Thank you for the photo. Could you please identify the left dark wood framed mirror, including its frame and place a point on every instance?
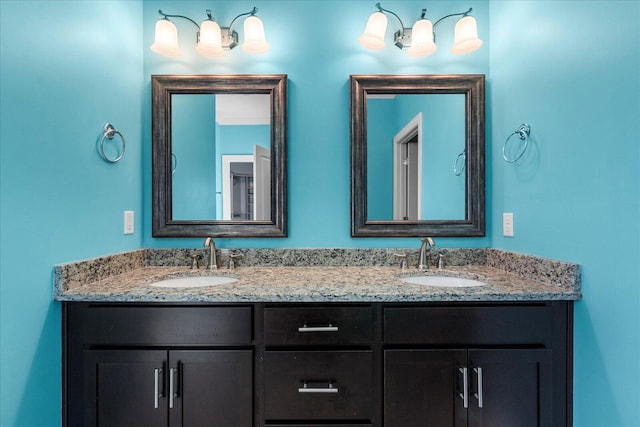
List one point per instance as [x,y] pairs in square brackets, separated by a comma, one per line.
[219,155]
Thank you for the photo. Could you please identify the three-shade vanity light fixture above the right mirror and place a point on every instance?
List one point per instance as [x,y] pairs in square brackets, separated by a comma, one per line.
[420,40]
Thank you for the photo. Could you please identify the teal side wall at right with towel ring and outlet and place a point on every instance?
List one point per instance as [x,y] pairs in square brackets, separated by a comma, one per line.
[573,72]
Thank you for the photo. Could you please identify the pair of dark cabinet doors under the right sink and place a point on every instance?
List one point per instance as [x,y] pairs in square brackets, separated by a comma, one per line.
[468,388]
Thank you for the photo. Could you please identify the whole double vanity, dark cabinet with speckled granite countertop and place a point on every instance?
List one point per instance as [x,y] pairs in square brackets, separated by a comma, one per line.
[317,337]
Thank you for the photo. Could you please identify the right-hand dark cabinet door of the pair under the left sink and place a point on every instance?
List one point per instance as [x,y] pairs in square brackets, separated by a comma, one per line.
[211,388]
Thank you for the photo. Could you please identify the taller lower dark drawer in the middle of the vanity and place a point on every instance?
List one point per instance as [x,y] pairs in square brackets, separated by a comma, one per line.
[318,385]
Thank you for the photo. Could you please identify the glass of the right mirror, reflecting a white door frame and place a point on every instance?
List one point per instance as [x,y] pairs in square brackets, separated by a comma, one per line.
[415,151]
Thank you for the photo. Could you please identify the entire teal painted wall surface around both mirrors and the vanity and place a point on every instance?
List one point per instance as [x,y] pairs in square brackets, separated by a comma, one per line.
[575,195]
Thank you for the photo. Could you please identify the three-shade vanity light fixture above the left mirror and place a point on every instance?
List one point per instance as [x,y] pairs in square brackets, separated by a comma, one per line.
[212,40]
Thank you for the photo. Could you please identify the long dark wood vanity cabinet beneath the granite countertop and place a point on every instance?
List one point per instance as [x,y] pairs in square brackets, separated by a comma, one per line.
[318,365]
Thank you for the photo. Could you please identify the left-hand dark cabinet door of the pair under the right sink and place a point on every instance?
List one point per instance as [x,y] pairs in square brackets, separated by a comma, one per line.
[424,388]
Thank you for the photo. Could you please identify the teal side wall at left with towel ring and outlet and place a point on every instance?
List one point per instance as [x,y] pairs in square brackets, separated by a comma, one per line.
[66,68]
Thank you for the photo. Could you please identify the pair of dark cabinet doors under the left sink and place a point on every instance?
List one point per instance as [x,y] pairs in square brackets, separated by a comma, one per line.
[131,387]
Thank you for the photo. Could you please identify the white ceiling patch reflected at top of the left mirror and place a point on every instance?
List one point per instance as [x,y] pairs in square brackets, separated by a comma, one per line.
[243,109]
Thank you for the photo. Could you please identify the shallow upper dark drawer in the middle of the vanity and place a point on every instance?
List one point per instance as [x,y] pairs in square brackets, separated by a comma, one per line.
[318,326]
